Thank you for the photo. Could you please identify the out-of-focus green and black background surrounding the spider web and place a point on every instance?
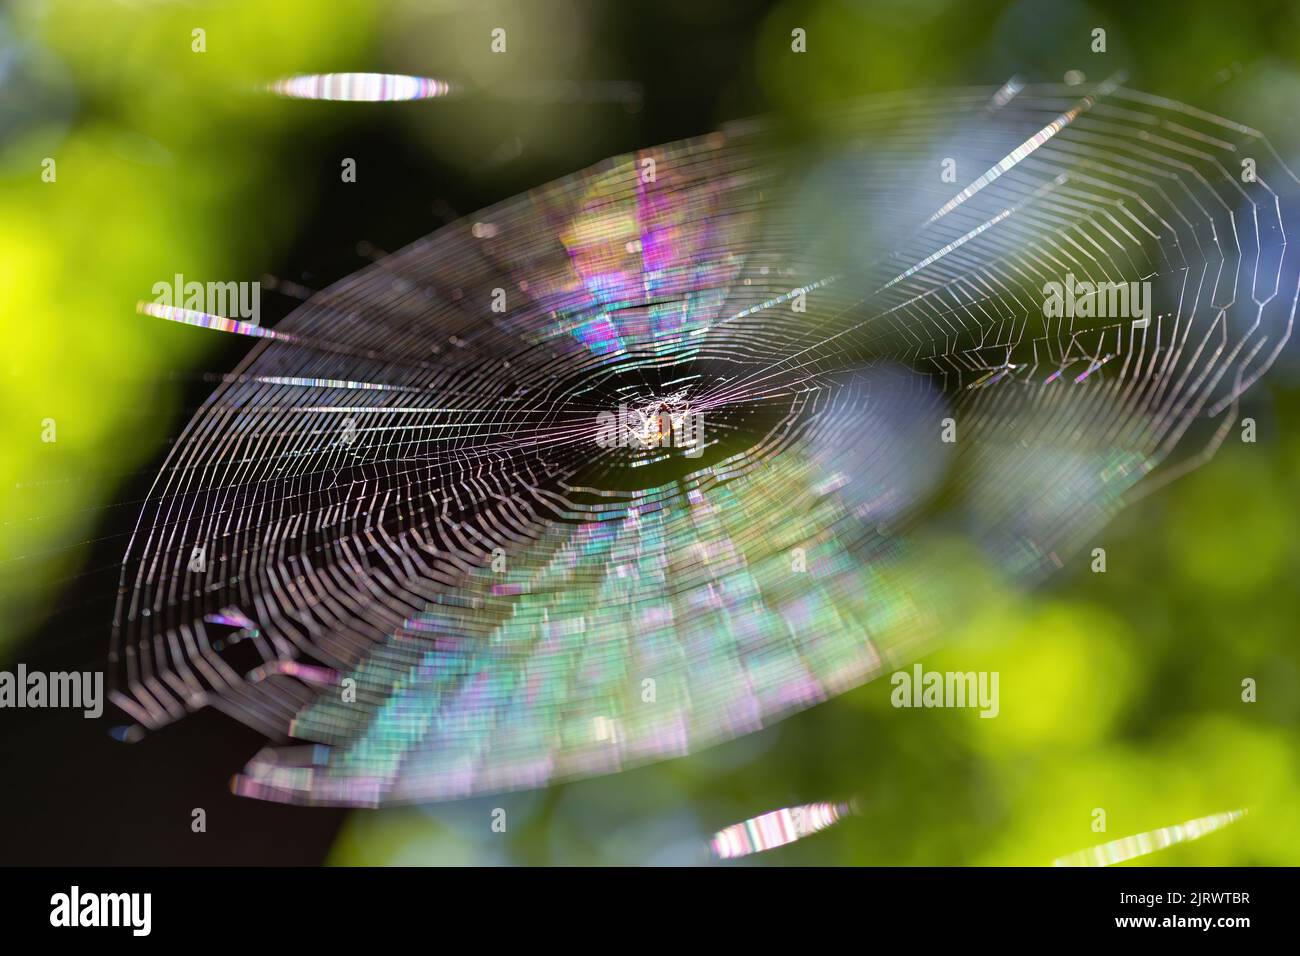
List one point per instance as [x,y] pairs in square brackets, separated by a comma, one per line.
[1120,691]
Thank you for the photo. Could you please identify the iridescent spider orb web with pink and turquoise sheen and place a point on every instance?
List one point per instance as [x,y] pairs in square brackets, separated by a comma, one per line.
[402,542]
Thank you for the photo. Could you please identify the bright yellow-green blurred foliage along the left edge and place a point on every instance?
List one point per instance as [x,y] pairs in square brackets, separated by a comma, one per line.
[159,163]
